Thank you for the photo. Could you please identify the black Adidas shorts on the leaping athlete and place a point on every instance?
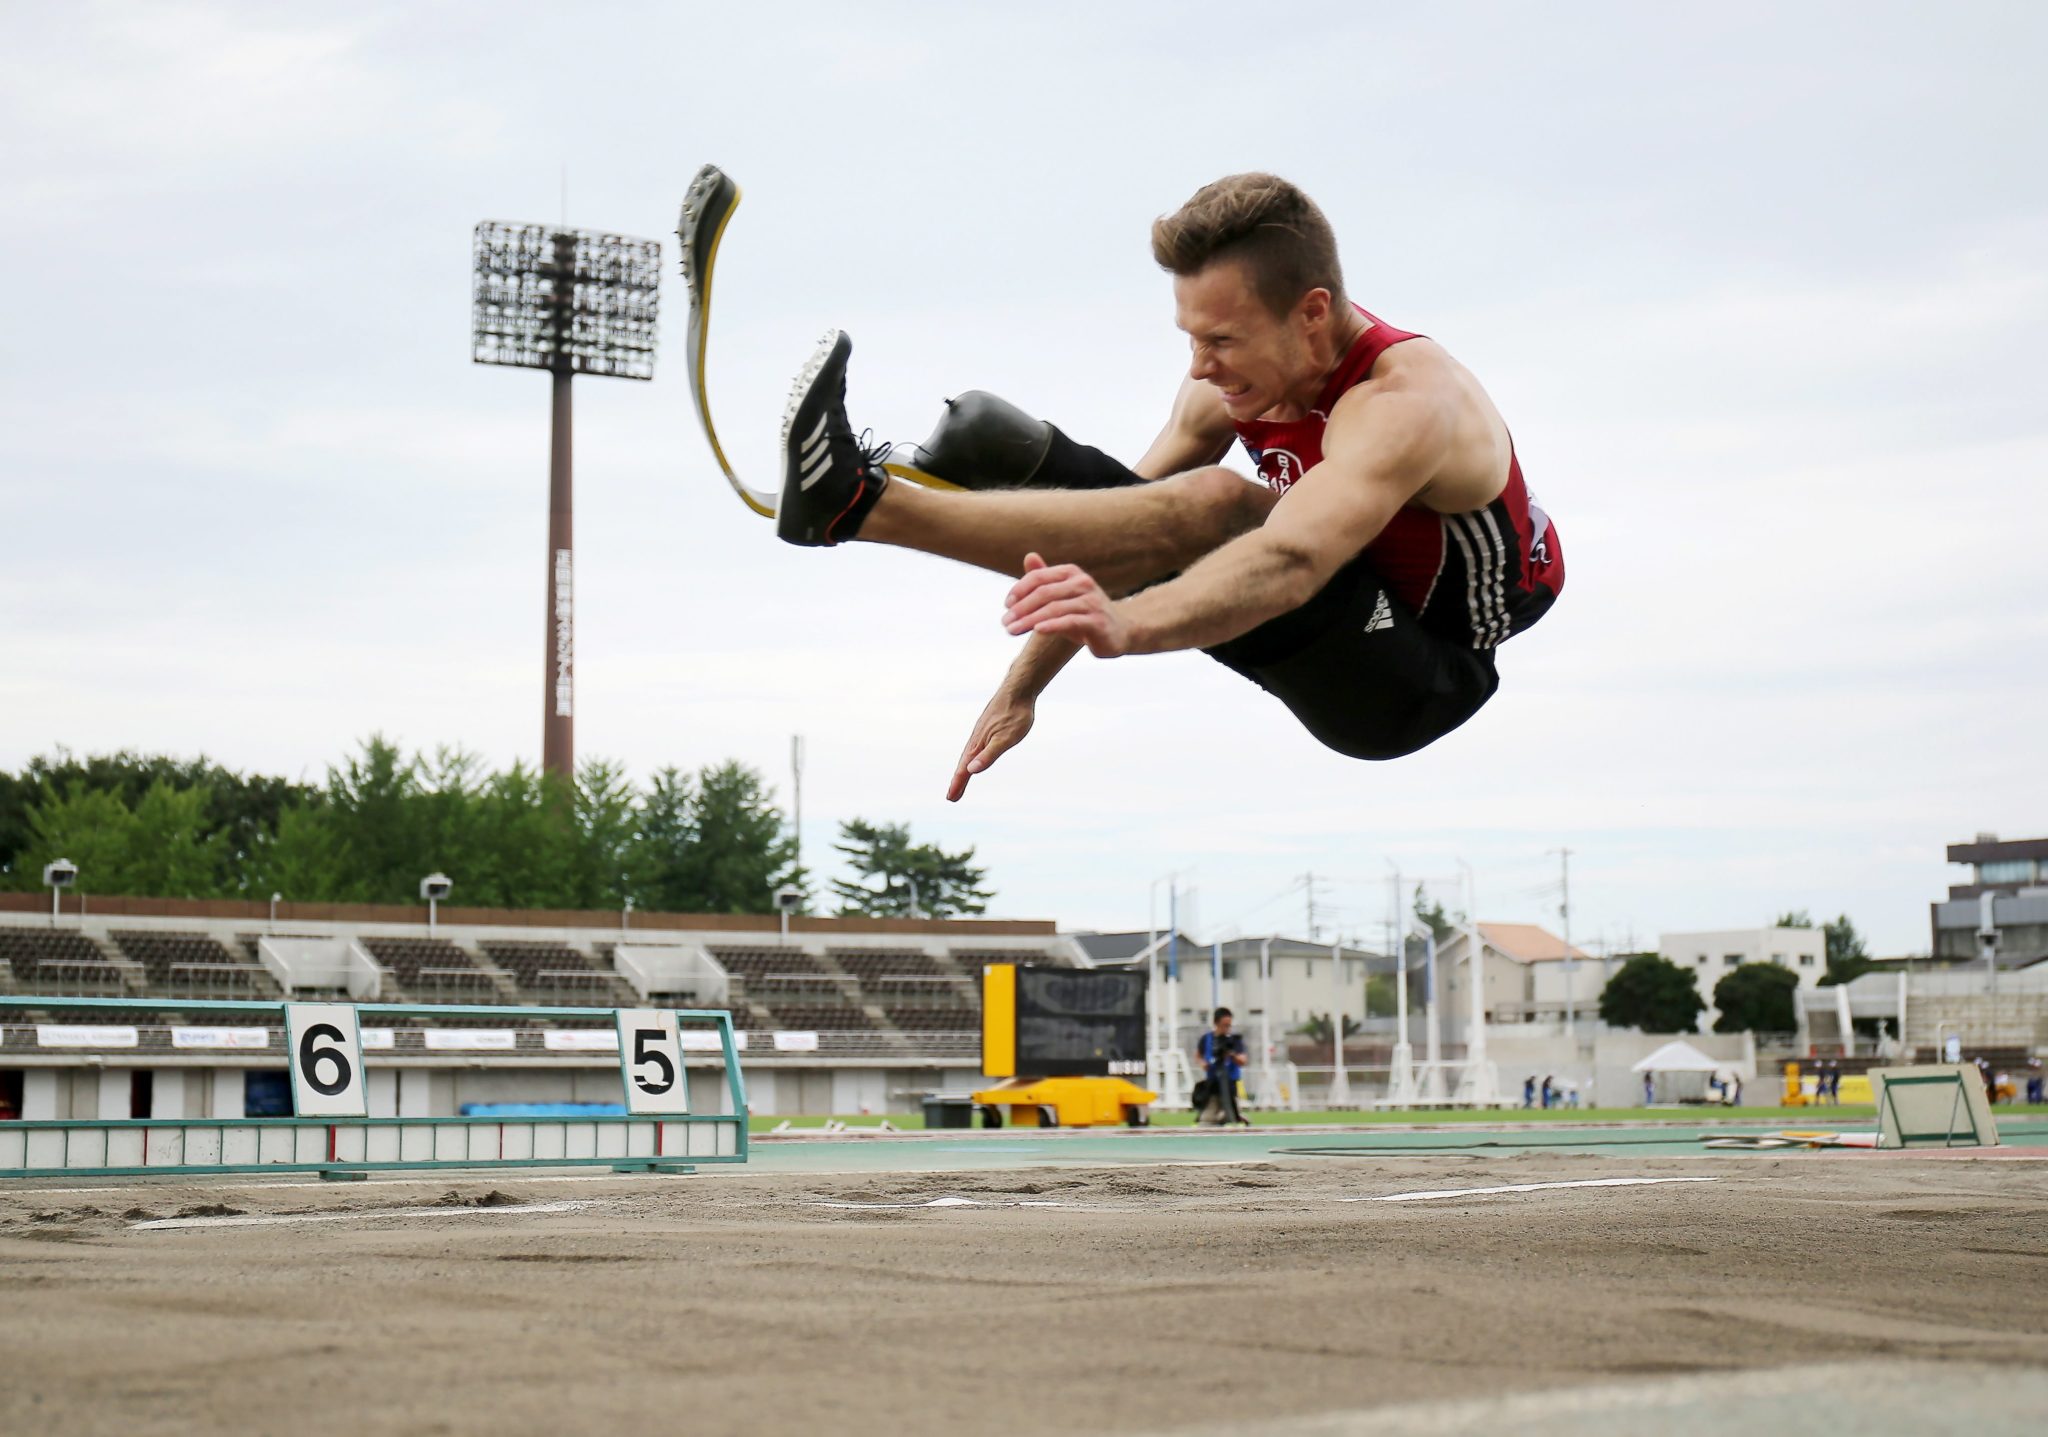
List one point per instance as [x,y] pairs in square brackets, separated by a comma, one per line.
[1361,670]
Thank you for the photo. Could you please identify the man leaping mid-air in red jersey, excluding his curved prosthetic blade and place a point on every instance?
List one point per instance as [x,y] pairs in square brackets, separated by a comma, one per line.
[1365,584]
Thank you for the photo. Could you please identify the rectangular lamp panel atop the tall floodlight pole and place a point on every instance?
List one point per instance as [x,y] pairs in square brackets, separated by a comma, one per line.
[566,300]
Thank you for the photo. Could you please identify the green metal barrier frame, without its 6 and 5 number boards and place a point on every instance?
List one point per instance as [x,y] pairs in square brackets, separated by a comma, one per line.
[355,1147]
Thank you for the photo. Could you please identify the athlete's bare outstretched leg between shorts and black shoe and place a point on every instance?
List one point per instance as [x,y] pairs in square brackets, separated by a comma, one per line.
[1123,537]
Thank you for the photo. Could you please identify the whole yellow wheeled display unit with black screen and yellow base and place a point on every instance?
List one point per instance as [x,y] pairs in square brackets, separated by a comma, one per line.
[1064,1047]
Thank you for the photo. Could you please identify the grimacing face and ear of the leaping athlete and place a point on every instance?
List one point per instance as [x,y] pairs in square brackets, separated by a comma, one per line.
[1254,357]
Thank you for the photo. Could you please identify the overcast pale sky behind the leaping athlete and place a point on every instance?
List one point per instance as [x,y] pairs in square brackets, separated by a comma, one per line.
[1760,288]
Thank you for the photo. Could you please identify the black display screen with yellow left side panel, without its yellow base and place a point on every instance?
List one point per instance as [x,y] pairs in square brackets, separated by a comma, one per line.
[1062,1022]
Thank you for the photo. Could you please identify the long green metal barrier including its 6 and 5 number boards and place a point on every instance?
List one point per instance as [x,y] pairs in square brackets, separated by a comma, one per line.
[333,1133]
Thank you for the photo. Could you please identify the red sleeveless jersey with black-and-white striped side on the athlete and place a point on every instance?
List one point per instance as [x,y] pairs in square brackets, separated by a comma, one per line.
[1476,578]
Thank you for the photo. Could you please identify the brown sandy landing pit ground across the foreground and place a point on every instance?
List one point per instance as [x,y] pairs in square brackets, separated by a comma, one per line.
[1150,1301]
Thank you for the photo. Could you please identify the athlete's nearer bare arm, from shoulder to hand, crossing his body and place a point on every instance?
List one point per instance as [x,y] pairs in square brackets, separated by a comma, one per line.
[1379,451]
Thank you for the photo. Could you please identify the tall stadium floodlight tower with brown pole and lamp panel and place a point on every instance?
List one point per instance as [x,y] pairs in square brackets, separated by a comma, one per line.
[572,302]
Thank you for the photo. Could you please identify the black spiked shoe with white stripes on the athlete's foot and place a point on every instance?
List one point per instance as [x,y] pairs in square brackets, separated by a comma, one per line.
[830,480]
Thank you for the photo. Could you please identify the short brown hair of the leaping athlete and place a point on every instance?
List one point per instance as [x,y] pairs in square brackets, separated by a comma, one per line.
[1267,224]
